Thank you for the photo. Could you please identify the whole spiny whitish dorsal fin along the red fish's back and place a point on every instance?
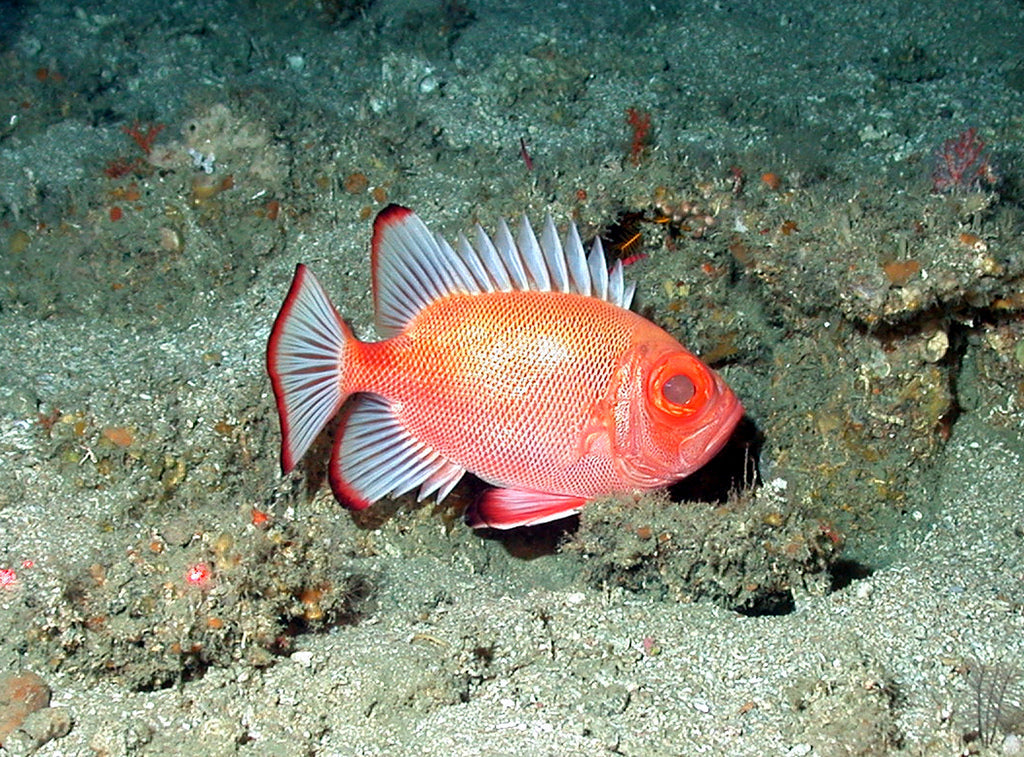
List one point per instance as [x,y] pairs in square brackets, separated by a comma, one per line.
[412,267]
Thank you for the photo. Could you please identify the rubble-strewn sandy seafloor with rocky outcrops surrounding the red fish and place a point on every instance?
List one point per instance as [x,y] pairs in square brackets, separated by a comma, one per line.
[870,320]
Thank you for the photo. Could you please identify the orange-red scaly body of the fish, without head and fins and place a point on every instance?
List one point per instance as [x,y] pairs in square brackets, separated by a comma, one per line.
[496,415]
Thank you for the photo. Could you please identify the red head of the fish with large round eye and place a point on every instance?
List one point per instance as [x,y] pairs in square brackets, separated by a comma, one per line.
[673,413]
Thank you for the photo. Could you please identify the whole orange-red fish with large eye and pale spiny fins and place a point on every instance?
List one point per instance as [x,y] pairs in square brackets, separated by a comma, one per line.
[515,359]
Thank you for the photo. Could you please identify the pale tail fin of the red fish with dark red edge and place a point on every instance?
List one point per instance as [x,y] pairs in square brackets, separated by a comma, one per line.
[306,358]
